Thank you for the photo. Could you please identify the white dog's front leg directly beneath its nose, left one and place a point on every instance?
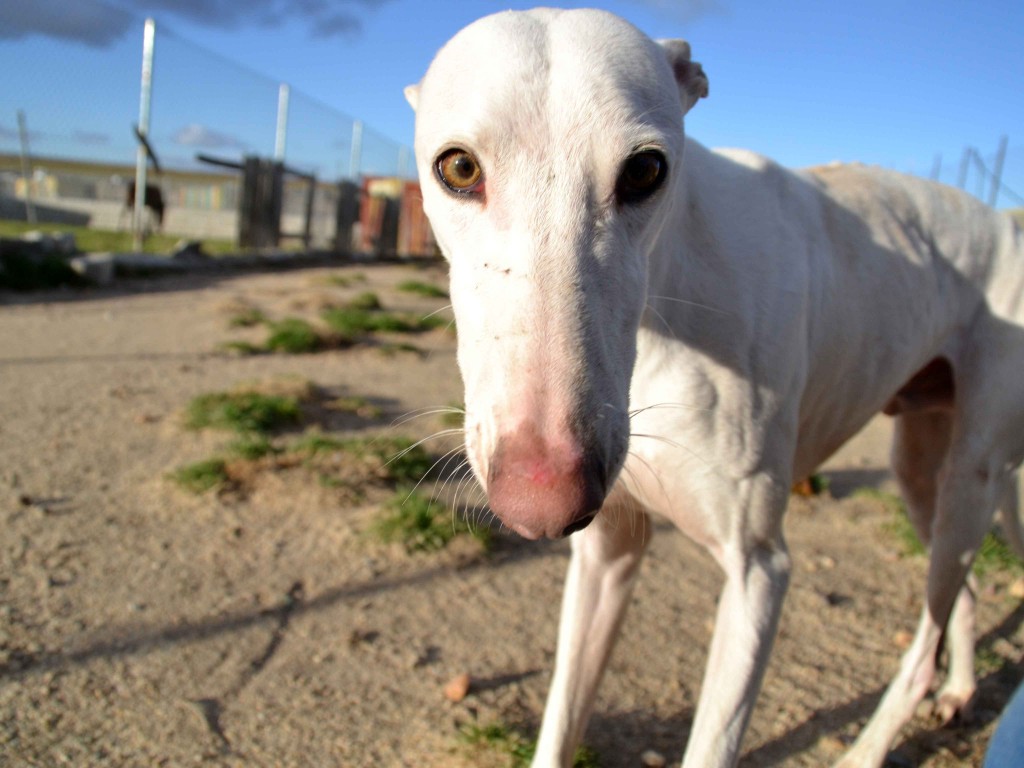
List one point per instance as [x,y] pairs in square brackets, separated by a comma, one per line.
[602,574]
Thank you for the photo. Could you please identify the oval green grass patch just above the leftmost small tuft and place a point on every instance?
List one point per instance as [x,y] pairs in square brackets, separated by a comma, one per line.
[242,412]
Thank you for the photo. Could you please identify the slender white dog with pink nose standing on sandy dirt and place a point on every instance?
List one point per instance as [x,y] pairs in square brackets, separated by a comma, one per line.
[645,324]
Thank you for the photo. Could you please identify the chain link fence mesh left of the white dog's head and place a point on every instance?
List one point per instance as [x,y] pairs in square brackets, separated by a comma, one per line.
[68,140]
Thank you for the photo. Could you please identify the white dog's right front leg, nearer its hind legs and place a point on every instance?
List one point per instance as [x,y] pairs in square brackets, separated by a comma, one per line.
[757,578]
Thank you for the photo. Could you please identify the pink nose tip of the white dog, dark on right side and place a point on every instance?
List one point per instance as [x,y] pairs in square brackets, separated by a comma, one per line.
[544,489]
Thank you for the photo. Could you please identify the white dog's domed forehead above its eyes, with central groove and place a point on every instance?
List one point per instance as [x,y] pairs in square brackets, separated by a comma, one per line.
[524,72]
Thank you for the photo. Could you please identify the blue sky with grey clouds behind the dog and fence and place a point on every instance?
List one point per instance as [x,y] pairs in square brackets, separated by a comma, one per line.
[890,82]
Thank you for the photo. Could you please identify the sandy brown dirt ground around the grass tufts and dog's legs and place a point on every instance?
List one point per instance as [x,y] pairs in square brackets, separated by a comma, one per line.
[145,626]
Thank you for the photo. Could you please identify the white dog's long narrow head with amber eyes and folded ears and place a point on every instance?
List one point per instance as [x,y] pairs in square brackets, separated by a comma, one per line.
[548,146]
